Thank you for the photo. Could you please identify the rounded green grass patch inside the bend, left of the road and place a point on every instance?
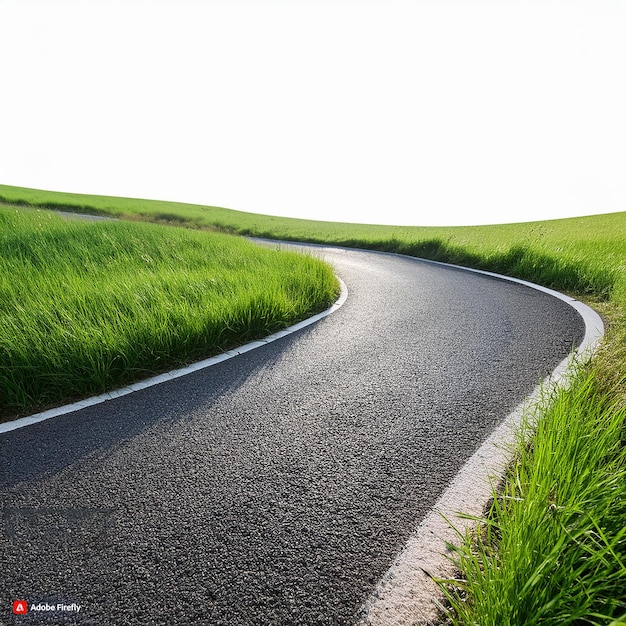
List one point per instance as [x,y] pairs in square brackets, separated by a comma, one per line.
[89,306]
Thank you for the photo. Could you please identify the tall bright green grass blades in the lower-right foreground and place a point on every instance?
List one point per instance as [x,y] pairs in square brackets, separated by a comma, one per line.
[552,549]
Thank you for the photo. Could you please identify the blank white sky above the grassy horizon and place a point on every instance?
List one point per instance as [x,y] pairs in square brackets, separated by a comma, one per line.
[384,111]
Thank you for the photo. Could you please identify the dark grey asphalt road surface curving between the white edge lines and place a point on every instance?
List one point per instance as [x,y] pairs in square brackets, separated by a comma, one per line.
[276,487]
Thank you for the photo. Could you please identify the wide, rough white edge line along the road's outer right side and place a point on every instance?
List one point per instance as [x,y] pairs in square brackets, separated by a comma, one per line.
[406,595]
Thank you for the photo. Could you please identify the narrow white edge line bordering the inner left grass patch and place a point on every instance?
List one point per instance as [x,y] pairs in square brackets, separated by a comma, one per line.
[167,376]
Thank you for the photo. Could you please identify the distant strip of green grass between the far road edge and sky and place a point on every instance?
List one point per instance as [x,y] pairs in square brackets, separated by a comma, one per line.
[585,256]
